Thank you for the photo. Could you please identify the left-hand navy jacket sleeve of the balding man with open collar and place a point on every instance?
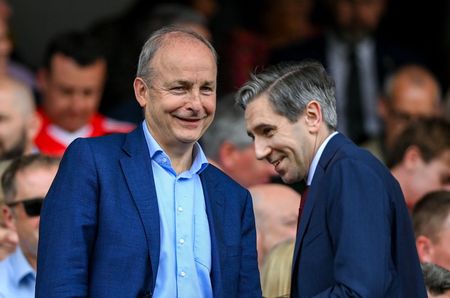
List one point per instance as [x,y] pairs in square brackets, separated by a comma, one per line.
[67,229]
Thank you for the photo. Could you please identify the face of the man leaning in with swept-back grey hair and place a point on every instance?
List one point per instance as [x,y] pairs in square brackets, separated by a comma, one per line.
[284,144]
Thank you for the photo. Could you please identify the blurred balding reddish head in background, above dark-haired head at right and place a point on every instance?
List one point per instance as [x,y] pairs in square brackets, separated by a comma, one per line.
[409,93]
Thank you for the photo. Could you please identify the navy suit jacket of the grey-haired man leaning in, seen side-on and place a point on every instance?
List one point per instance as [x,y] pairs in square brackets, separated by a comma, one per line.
[355,236]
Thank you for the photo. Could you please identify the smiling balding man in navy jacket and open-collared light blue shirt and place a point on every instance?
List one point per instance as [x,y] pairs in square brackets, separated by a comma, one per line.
[143,214]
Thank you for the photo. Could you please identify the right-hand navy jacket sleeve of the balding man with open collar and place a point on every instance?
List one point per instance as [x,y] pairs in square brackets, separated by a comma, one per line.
[249,284]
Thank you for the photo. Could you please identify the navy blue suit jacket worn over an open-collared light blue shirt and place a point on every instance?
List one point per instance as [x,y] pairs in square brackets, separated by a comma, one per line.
[99,229]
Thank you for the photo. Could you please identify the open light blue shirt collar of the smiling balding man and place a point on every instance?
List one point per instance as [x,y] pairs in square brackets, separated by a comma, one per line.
[157,154]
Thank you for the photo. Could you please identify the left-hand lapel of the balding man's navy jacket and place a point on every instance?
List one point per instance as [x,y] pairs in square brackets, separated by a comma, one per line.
[137,169]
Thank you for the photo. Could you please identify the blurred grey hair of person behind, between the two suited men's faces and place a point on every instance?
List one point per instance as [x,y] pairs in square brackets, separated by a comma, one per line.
[228,126]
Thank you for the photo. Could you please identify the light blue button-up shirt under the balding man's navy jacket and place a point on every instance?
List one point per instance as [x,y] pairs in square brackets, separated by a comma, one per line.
[185,252]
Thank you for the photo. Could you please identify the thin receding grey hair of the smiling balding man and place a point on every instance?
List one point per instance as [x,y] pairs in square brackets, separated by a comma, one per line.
[156,41]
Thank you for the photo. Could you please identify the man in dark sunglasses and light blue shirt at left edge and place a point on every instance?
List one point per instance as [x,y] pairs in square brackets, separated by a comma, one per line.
[25,183]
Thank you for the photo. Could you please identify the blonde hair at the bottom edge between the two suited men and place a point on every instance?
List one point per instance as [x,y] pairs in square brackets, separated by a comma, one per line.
[276,270]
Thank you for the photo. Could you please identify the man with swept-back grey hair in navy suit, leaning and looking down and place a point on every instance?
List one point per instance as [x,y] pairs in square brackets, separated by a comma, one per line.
[354,235]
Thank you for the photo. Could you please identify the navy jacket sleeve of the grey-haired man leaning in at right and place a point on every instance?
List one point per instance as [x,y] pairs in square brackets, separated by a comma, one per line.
[359,221]
